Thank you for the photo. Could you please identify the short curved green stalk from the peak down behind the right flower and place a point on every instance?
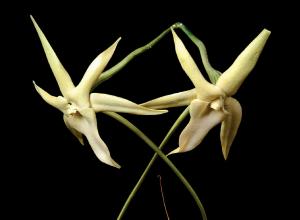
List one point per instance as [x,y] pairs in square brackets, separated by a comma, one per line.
[212,72]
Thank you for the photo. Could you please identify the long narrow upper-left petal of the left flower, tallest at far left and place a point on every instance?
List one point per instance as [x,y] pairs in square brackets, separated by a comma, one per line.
[61,75]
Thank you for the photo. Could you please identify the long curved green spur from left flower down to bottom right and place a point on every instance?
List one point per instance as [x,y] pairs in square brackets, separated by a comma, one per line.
[162,156]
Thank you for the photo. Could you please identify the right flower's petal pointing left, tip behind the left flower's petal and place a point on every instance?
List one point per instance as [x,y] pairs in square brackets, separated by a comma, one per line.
[173,100]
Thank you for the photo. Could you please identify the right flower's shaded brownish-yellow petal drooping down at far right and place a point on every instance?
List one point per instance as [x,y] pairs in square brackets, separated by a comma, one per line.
[230,124]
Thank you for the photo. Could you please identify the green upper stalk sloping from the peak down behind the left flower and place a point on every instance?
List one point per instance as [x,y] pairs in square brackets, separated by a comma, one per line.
[110,72]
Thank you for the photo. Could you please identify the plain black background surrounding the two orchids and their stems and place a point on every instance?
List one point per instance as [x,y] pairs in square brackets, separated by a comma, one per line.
[48,174]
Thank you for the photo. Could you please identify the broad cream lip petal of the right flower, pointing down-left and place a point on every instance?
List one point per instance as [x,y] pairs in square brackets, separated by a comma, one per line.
[203,118]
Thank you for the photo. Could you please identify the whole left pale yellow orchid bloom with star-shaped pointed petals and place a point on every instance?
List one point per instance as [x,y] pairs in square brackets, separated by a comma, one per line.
[79,107]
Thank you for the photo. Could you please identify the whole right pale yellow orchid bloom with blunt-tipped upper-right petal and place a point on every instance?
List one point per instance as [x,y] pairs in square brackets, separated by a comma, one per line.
[211,104]
